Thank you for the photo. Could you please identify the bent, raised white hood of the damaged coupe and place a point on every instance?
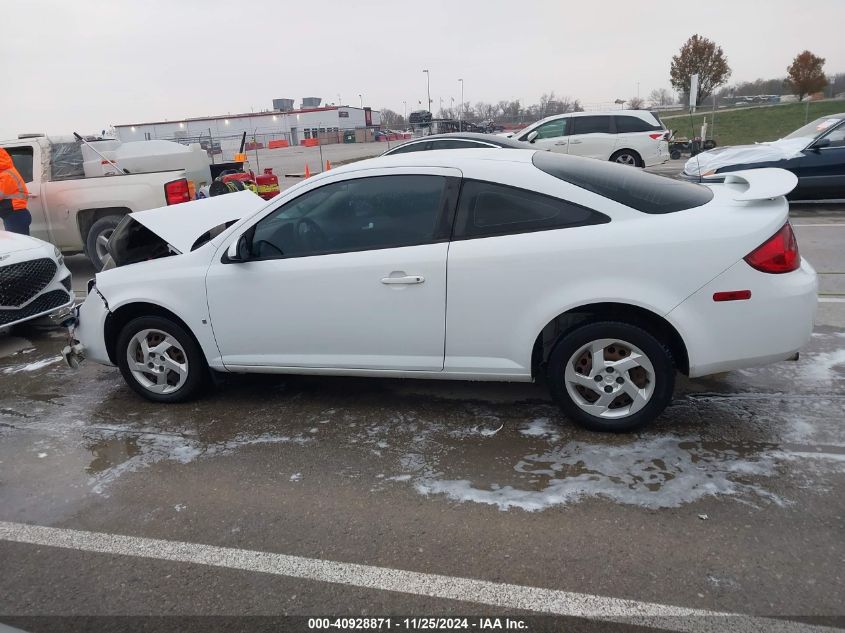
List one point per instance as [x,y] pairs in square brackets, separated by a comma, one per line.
[180,225]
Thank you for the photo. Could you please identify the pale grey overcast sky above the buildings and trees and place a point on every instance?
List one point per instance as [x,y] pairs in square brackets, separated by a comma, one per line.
[86,64]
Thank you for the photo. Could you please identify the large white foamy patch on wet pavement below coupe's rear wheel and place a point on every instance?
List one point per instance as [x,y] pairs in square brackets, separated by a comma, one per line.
[662,472]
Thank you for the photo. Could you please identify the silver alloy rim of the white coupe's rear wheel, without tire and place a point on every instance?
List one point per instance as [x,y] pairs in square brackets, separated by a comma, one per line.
[609,378]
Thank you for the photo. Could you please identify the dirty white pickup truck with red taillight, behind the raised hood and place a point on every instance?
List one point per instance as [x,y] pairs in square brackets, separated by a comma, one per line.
[79,214]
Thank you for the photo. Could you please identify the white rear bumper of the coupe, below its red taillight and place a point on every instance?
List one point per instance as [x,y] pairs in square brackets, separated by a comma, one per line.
[770,326]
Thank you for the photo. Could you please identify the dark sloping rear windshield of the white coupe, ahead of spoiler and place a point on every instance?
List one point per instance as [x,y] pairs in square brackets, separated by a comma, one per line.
[626,185]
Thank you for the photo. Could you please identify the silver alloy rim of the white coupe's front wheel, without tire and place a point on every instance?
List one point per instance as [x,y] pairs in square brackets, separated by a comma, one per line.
[157,361]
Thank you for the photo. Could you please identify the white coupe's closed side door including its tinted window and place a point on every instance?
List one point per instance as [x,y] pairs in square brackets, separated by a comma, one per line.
[350,274]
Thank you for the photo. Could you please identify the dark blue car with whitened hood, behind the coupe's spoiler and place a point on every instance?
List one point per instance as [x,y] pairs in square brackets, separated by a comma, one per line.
[815,153]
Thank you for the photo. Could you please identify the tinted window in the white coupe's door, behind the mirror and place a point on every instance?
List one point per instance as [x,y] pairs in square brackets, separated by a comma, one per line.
[355,215]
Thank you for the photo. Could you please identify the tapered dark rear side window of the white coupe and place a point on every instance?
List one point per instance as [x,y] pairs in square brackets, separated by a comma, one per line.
[487,208]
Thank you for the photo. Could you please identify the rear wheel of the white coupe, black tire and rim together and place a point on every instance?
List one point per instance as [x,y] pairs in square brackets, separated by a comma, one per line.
[611,377]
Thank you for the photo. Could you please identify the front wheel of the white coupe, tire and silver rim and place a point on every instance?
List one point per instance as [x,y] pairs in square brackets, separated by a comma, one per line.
[160,360]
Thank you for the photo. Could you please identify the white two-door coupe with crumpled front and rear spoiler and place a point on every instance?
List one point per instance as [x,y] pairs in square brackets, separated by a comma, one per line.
[514,265]
